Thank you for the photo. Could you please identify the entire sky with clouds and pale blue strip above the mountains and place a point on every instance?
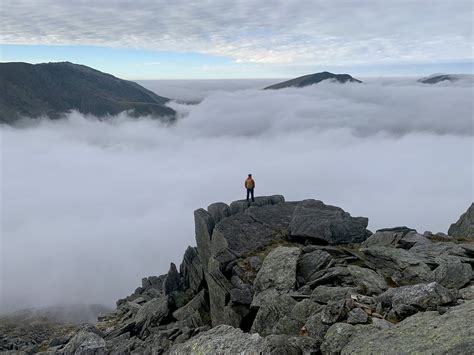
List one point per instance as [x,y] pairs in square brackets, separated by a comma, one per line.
[215,39]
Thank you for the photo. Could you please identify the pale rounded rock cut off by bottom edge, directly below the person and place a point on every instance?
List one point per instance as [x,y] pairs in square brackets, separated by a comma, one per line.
[222,339]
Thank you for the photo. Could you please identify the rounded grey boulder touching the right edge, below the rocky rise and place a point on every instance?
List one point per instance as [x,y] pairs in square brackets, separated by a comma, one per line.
[452,273]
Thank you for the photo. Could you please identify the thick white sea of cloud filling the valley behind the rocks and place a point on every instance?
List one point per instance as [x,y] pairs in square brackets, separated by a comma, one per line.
[89,207]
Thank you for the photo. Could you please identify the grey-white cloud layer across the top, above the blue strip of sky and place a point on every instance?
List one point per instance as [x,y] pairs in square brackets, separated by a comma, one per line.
[299,32]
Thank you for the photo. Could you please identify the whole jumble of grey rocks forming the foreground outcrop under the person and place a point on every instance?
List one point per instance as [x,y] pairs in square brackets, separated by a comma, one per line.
[302,277]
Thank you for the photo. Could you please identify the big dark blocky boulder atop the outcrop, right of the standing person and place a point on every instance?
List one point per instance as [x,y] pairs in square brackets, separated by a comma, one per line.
[322,223]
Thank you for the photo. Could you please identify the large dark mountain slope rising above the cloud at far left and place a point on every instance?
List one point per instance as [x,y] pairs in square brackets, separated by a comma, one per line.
[52,89]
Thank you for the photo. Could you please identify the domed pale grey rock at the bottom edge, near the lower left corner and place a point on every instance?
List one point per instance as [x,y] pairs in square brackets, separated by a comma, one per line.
[87,341]
